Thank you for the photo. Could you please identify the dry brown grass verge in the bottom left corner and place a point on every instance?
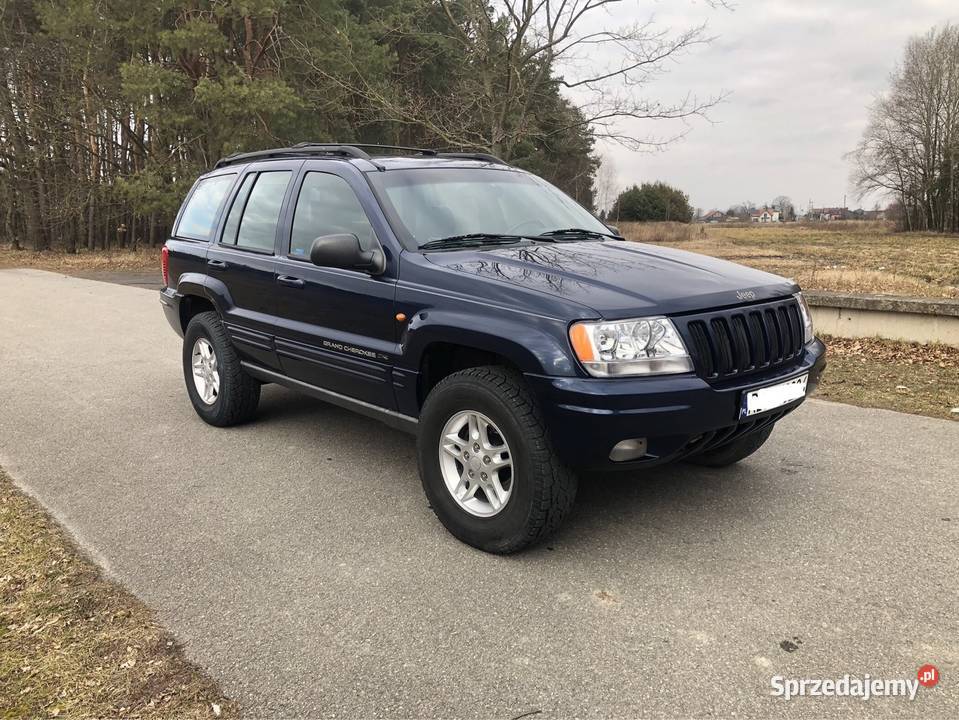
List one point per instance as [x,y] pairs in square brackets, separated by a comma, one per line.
[73,644]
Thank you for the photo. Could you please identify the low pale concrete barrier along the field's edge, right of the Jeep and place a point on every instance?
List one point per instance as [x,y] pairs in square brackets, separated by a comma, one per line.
[921,320]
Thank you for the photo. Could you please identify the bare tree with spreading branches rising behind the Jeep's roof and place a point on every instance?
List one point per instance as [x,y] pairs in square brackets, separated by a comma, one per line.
[521,51]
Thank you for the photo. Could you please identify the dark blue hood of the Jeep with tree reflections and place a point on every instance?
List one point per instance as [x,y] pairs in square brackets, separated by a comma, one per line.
[620,279]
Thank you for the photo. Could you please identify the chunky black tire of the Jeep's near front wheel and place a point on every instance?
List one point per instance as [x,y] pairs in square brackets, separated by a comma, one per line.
[541,488]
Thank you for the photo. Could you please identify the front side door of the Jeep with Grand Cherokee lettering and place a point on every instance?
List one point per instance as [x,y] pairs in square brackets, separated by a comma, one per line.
[335,328]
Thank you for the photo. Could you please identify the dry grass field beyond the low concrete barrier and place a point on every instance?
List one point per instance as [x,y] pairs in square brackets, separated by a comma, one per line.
[840,256]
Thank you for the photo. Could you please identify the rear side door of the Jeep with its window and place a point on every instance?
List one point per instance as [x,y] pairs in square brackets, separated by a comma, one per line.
[242,261]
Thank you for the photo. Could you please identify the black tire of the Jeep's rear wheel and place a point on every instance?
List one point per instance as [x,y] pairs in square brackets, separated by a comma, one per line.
[238,394]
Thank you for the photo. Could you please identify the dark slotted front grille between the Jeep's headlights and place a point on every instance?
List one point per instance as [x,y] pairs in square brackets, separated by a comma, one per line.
[731,343]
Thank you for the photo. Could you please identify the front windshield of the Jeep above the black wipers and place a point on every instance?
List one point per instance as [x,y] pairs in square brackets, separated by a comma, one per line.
[435,203]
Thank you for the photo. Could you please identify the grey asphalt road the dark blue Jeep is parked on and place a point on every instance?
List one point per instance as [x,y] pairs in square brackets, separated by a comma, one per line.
[297,560]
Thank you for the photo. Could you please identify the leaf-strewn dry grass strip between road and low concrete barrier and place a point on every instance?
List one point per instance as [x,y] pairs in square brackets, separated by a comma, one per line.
[908,377]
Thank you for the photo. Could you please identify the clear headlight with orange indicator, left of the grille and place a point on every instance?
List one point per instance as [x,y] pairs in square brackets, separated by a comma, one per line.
[646,346]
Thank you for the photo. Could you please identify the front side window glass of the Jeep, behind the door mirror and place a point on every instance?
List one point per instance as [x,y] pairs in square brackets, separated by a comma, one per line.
[327,205]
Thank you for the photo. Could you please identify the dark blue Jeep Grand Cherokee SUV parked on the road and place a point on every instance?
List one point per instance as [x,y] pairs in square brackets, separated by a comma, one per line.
[477,306]
